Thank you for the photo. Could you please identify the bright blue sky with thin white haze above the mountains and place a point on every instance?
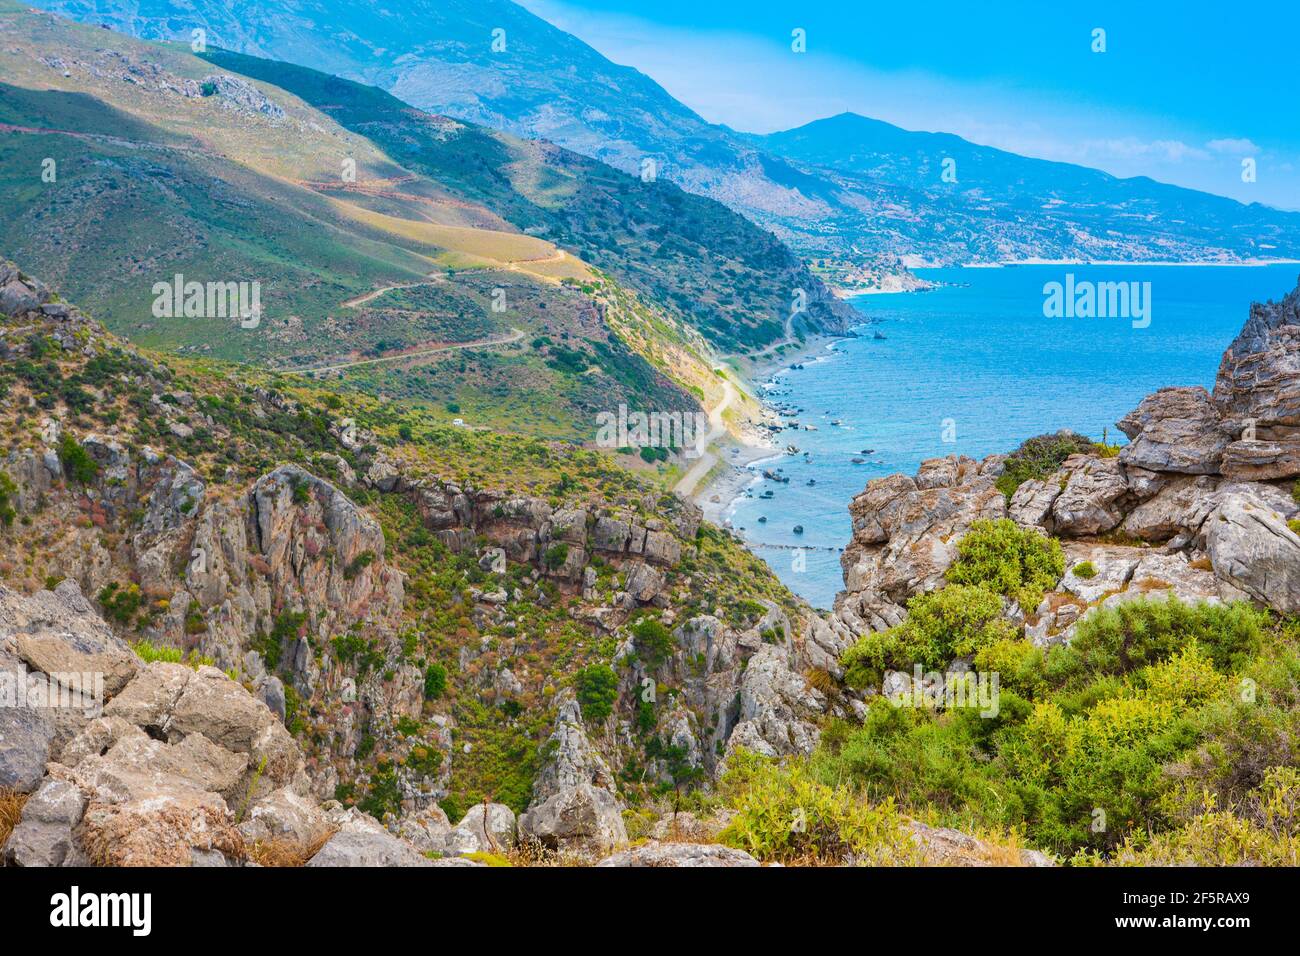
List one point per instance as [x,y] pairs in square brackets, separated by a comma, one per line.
[1184,93]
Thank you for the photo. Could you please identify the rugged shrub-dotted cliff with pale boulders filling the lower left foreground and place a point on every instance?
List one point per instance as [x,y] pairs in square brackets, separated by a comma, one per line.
[375,629]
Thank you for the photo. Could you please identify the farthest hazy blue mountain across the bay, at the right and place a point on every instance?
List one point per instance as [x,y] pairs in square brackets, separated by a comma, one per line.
[1072,211]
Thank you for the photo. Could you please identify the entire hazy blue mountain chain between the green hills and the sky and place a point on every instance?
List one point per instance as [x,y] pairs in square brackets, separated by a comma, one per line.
[857,197]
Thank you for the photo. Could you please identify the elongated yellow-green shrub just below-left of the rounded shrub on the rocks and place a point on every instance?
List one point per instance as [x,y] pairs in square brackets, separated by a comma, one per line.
[942,625]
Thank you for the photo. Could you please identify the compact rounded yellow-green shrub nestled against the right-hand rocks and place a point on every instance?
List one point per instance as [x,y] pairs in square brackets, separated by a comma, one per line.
[1008,560]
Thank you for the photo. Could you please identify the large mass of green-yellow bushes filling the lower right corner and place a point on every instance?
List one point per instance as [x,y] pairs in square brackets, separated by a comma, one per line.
[1156,715]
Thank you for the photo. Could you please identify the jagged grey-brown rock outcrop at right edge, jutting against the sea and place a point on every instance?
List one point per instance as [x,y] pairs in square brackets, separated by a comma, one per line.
[1202,504]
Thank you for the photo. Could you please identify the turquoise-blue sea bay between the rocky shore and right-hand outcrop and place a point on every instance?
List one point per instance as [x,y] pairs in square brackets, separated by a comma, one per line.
[973,367]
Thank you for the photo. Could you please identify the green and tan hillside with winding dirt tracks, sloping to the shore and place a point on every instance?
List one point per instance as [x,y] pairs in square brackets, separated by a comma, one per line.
[513,283]
